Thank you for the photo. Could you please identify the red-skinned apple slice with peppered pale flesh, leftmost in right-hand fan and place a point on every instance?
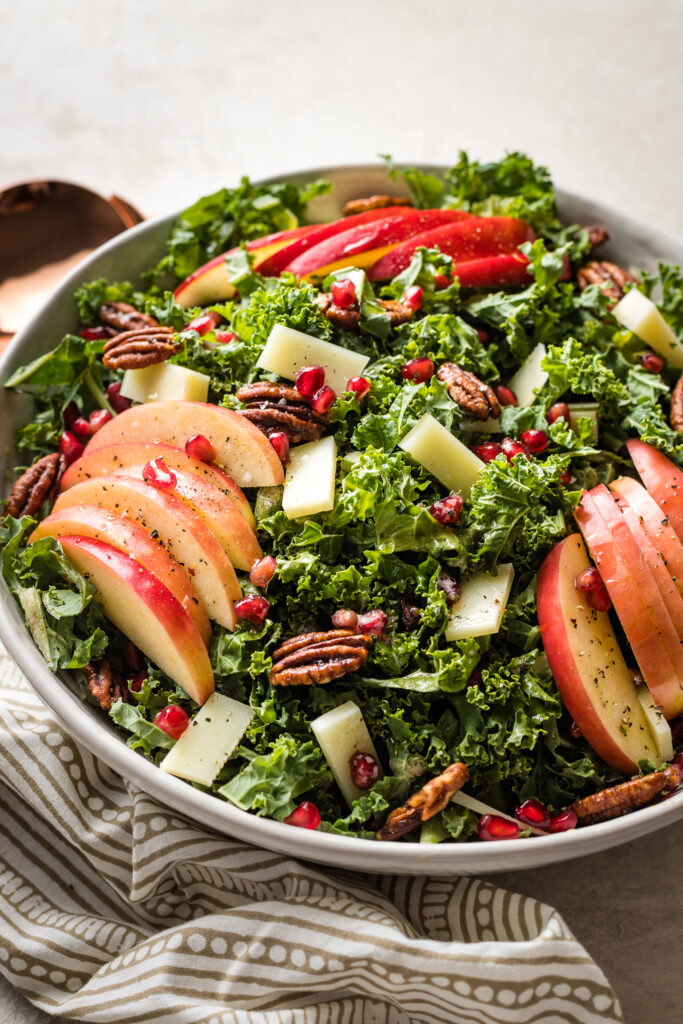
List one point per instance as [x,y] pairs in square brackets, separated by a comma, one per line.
[594,681]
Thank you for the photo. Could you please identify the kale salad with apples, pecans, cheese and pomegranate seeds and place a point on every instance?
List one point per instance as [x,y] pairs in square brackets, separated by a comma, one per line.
[373,527]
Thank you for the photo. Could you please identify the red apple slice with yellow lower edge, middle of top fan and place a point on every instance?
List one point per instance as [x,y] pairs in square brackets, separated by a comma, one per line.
[359,245]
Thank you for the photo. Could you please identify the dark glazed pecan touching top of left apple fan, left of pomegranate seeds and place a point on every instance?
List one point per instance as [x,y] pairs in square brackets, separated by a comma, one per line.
[278,407]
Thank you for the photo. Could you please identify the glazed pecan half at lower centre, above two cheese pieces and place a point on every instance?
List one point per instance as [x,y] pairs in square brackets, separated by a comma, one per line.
[319,658]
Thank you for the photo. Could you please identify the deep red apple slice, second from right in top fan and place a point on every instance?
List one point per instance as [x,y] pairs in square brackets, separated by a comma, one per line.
[465,241]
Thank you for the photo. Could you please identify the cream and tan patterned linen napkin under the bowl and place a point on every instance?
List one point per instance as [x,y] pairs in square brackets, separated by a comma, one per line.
[113,909]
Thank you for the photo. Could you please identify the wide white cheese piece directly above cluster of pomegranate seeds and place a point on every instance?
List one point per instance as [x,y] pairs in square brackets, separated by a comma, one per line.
[287,352]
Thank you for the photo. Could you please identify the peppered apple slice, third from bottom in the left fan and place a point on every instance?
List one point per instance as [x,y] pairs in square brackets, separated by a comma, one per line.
[184,534]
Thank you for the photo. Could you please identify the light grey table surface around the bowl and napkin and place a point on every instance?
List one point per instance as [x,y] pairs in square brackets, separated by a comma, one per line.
[163,102]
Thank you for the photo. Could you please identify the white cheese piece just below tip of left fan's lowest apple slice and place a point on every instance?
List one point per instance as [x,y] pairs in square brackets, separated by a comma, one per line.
[209,740]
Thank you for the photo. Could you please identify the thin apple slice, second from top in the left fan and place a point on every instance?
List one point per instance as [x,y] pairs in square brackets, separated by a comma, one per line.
[113,459]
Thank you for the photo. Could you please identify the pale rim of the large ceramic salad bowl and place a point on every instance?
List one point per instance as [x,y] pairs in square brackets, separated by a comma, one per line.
[206,808]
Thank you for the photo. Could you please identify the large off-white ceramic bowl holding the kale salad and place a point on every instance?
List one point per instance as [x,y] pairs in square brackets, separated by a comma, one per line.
[124,259]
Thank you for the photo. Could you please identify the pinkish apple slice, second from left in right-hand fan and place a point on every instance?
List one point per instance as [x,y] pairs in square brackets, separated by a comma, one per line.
[634,593]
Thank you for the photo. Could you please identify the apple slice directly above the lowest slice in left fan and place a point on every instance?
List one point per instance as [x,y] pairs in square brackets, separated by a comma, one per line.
[135,540]
